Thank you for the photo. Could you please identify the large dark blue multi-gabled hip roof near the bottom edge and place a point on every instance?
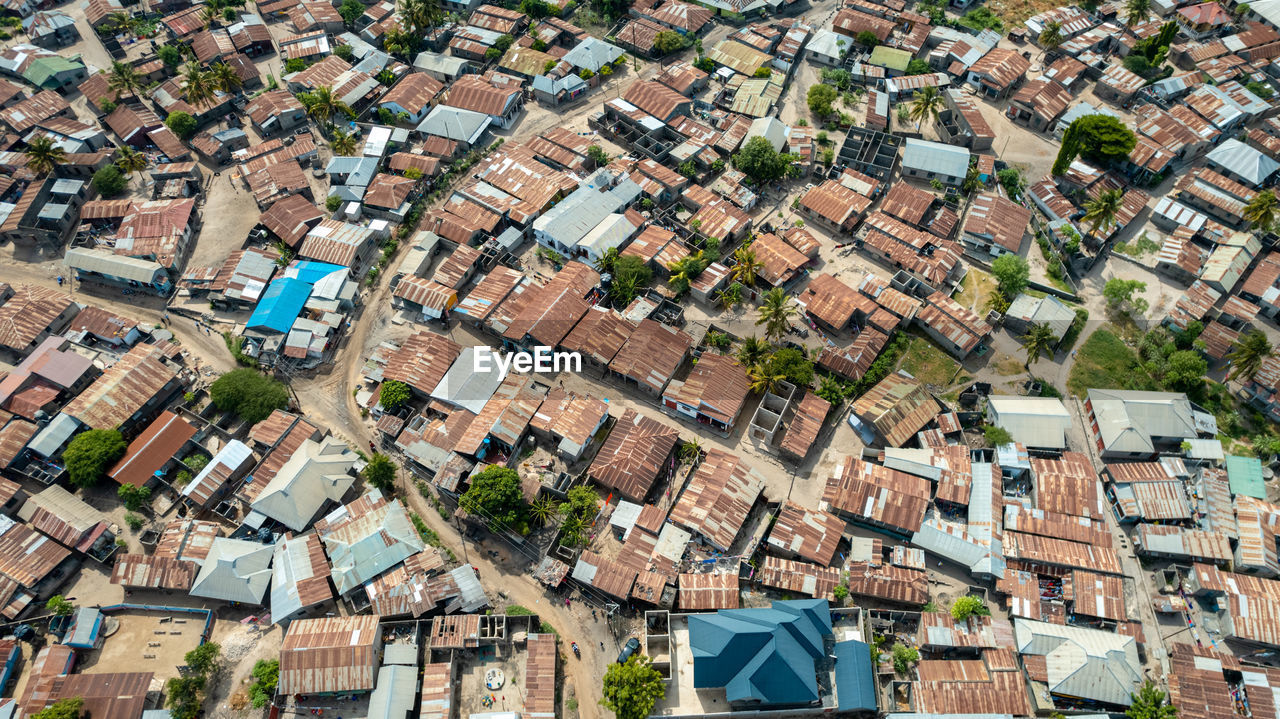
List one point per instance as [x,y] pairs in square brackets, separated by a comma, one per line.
[762,656]
